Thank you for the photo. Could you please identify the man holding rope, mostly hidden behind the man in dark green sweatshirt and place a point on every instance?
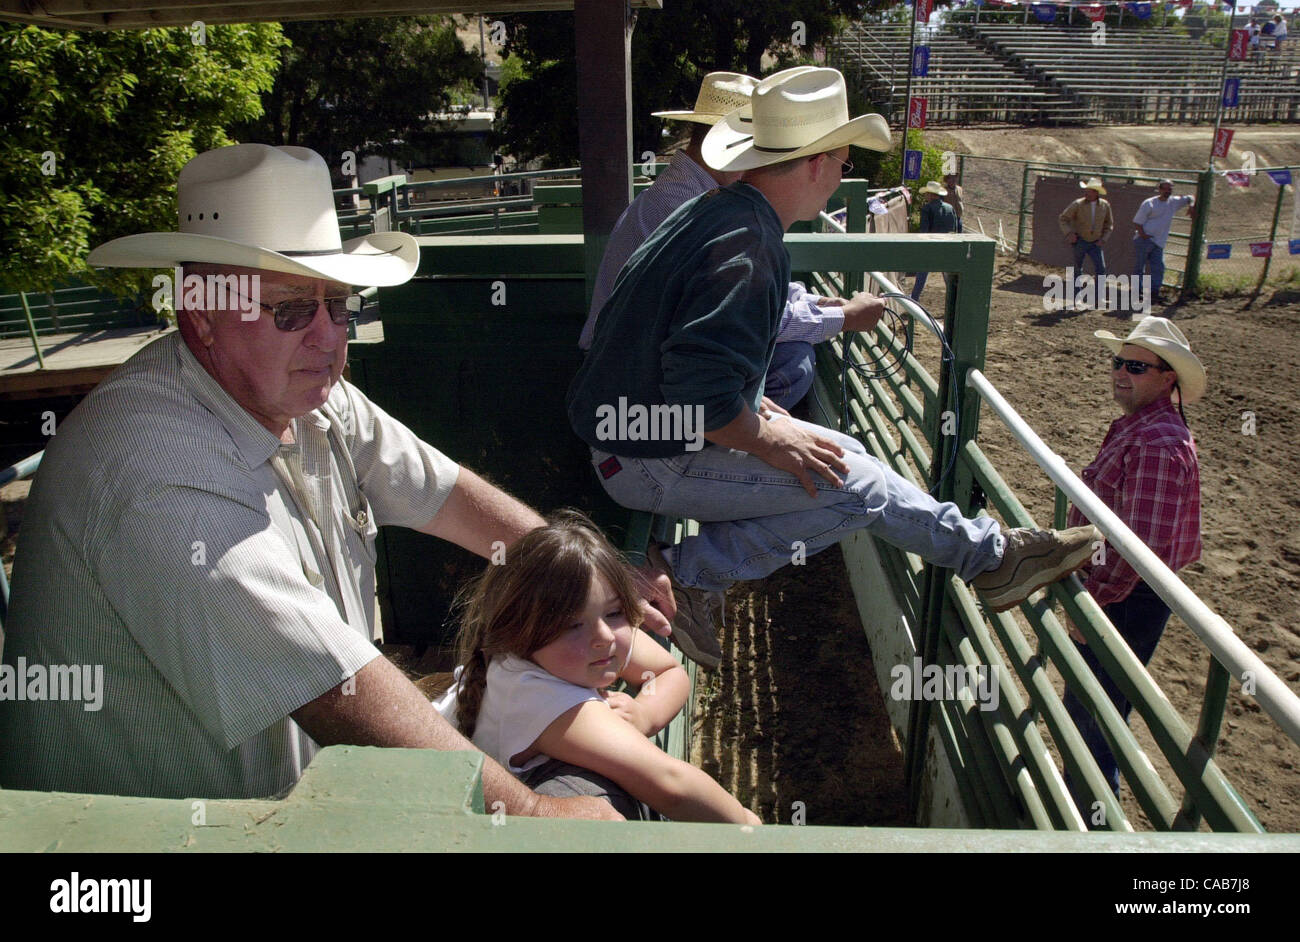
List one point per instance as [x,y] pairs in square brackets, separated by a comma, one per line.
[808,319]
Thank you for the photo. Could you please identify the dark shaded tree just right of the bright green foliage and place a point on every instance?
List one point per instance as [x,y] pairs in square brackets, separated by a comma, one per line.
[361,85]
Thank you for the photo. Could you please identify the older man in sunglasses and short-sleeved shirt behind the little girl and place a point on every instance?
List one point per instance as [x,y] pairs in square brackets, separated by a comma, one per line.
[203,526]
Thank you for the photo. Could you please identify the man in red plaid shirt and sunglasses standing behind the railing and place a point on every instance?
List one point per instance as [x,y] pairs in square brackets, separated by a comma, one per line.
[1149,475]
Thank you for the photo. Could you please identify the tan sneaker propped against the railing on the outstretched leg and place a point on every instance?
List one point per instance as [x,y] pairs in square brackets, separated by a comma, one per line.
[1034,559]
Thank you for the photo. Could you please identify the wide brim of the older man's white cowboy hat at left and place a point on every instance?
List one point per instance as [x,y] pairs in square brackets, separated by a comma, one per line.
[376,261]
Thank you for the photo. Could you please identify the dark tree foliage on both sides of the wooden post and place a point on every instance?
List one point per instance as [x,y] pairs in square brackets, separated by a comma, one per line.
[673,50]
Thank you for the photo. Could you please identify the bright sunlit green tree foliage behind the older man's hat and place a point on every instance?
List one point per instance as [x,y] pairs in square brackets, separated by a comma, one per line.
[98,125]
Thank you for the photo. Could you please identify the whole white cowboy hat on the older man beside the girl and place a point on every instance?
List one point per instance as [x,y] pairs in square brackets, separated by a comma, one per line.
[270,209]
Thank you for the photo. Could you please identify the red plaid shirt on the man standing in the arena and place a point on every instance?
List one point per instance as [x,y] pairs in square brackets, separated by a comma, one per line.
[1147,474]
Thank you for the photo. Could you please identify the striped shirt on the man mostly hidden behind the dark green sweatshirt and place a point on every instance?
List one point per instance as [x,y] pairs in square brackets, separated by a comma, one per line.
[683,181]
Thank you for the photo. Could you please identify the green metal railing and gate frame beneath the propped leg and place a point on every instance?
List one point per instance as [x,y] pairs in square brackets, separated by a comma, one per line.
[1003,767]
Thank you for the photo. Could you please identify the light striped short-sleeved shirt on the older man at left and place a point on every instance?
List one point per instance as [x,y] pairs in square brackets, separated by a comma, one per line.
[218,579]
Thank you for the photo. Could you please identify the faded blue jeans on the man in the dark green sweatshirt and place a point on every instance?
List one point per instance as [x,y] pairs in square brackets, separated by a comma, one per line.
[756,519]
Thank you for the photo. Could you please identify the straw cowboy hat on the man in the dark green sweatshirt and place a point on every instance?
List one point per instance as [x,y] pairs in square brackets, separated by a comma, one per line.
[795,114]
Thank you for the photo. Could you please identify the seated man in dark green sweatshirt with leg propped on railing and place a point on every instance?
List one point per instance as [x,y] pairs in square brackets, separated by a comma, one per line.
[691,327]
